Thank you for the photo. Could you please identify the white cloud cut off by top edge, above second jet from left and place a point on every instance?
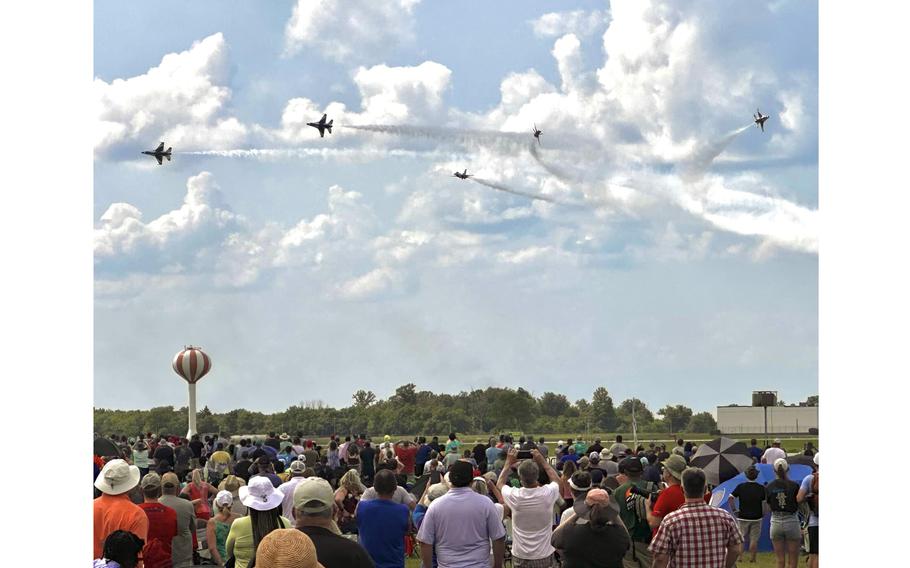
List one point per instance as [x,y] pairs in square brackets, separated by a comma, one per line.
[353,29]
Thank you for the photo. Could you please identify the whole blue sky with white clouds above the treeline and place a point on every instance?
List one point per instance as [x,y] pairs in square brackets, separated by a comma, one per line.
[679,263]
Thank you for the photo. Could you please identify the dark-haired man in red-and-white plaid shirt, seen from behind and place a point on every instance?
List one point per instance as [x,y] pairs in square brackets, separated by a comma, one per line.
[696,535]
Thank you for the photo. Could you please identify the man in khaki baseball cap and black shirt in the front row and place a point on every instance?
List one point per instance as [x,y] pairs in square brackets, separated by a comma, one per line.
[314,511]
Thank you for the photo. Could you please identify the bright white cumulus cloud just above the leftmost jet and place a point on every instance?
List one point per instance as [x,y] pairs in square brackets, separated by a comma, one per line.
[182,100]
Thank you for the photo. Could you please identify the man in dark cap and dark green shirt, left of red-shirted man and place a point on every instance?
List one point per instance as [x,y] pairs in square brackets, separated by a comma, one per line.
[633,510]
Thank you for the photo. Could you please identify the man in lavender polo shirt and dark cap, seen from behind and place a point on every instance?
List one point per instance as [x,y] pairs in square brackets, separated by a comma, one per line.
[461,525]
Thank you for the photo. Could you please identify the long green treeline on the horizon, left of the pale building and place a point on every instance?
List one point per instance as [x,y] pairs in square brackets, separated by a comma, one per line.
[493,409]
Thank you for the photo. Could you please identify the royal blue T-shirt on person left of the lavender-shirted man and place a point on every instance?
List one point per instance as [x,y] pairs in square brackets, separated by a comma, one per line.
[382,525]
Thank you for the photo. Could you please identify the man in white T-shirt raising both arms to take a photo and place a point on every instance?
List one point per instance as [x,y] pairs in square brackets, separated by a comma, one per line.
[531,507]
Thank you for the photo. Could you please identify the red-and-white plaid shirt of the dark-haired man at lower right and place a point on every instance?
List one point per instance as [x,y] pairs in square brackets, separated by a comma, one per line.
[696,536]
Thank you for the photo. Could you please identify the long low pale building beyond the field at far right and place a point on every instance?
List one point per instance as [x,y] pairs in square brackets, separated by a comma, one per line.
[781,419]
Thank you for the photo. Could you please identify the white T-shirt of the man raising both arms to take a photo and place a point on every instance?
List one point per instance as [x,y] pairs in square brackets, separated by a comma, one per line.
[532,519]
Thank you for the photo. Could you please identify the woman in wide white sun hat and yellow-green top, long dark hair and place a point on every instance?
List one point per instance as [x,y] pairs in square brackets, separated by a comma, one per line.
[264,503]
